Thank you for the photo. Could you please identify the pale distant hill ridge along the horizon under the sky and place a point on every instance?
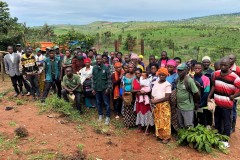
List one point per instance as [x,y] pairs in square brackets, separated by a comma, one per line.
[223,20]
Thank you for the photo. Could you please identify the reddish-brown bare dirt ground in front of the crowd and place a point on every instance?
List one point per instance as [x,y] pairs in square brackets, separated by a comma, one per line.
[49,137]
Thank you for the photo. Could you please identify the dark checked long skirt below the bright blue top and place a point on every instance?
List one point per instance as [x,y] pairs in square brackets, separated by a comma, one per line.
[129,116]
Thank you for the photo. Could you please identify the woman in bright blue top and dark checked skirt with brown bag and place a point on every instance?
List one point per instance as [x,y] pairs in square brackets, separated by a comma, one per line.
[129,116]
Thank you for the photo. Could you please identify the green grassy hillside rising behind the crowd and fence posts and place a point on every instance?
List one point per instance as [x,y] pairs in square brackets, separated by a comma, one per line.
[217,30]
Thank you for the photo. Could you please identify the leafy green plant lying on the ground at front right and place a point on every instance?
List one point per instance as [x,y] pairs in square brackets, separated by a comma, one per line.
[202,139]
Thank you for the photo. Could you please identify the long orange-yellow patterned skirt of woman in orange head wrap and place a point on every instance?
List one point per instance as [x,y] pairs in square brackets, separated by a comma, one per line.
[162,119]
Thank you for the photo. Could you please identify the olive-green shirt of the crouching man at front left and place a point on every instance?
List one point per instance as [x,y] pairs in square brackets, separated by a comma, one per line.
[72,83]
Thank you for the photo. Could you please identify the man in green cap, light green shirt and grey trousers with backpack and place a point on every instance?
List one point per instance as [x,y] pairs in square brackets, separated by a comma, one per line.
[187,97]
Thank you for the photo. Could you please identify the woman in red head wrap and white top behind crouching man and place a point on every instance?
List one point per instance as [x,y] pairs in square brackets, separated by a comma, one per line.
[86,80]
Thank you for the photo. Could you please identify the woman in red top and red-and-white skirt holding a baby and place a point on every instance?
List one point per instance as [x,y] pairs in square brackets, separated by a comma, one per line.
[143,110]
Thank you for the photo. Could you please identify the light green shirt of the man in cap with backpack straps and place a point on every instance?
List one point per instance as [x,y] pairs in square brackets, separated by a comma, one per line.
[183,101]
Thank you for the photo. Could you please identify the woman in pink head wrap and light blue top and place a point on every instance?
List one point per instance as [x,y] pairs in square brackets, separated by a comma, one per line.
[173,76]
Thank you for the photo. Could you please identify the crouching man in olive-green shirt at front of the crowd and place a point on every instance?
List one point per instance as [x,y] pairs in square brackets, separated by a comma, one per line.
[72,85]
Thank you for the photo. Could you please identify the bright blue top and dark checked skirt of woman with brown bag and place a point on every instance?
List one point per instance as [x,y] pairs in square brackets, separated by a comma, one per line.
[129,116]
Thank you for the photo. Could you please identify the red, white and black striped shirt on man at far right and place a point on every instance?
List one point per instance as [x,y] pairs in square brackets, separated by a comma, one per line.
[225,86]
